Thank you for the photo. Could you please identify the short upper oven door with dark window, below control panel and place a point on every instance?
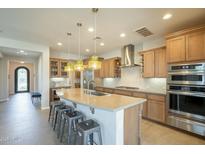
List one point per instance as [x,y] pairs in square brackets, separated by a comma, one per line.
[194,78]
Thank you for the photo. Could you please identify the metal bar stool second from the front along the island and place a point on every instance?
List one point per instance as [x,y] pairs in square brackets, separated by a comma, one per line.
[71,118]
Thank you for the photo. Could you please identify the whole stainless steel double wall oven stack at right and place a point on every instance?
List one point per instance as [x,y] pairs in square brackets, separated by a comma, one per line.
[186,97]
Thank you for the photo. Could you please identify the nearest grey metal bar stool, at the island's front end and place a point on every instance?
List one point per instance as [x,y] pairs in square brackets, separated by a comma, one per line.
[87,128]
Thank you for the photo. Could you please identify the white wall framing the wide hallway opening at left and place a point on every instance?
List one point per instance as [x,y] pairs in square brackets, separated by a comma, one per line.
[44,77]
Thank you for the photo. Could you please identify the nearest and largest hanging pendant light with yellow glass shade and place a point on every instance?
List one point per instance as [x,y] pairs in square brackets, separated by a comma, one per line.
[94,63]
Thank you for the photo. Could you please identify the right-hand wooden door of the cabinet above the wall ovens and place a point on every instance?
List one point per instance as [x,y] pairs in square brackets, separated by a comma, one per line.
[195,46]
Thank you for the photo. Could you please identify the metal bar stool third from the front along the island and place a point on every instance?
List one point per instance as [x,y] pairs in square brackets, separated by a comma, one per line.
[58,114]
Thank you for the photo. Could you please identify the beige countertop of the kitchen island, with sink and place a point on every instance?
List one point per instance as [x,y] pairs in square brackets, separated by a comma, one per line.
[111,102]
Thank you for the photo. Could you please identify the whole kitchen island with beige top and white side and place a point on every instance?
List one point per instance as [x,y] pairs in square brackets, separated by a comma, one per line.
[119,116]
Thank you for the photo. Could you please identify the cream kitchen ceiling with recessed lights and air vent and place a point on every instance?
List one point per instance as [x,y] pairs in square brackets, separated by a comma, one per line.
[49,26]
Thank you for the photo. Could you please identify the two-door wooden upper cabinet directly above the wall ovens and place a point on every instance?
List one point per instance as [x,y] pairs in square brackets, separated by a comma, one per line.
[186,45]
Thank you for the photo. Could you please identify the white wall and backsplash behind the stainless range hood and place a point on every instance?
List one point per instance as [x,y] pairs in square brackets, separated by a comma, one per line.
[132,76]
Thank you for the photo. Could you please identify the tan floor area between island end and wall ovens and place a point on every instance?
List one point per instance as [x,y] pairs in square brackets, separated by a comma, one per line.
[155,134]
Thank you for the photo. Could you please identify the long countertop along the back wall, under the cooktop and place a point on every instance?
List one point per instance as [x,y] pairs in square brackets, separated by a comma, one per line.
[162,92]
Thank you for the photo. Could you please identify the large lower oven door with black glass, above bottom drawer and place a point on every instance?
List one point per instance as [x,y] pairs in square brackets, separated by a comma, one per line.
[191,105]
